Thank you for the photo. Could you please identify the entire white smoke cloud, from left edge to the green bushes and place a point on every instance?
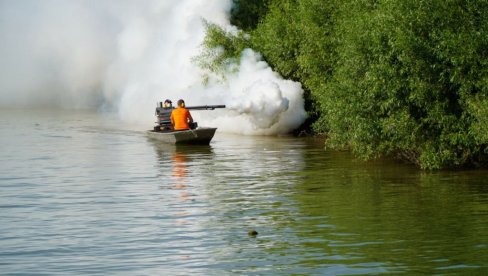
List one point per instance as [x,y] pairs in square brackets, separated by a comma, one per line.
[127,55]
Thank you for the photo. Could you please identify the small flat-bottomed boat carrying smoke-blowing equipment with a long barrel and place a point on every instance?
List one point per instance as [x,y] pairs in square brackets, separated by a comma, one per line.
[195,135]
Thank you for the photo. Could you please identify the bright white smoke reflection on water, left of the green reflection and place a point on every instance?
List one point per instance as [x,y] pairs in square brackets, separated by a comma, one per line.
[236,185]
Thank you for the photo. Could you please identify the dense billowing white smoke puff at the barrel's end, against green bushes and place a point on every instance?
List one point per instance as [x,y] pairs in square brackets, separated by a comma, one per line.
[259,101]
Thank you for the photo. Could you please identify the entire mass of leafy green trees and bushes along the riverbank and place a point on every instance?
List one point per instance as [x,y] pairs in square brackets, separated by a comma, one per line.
[382,77]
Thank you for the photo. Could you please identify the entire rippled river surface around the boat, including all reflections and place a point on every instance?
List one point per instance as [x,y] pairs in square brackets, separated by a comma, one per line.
[83,194]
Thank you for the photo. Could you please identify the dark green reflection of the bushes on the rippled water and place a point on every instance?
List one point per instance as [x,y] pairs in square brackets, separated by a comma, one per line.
[391,216]
